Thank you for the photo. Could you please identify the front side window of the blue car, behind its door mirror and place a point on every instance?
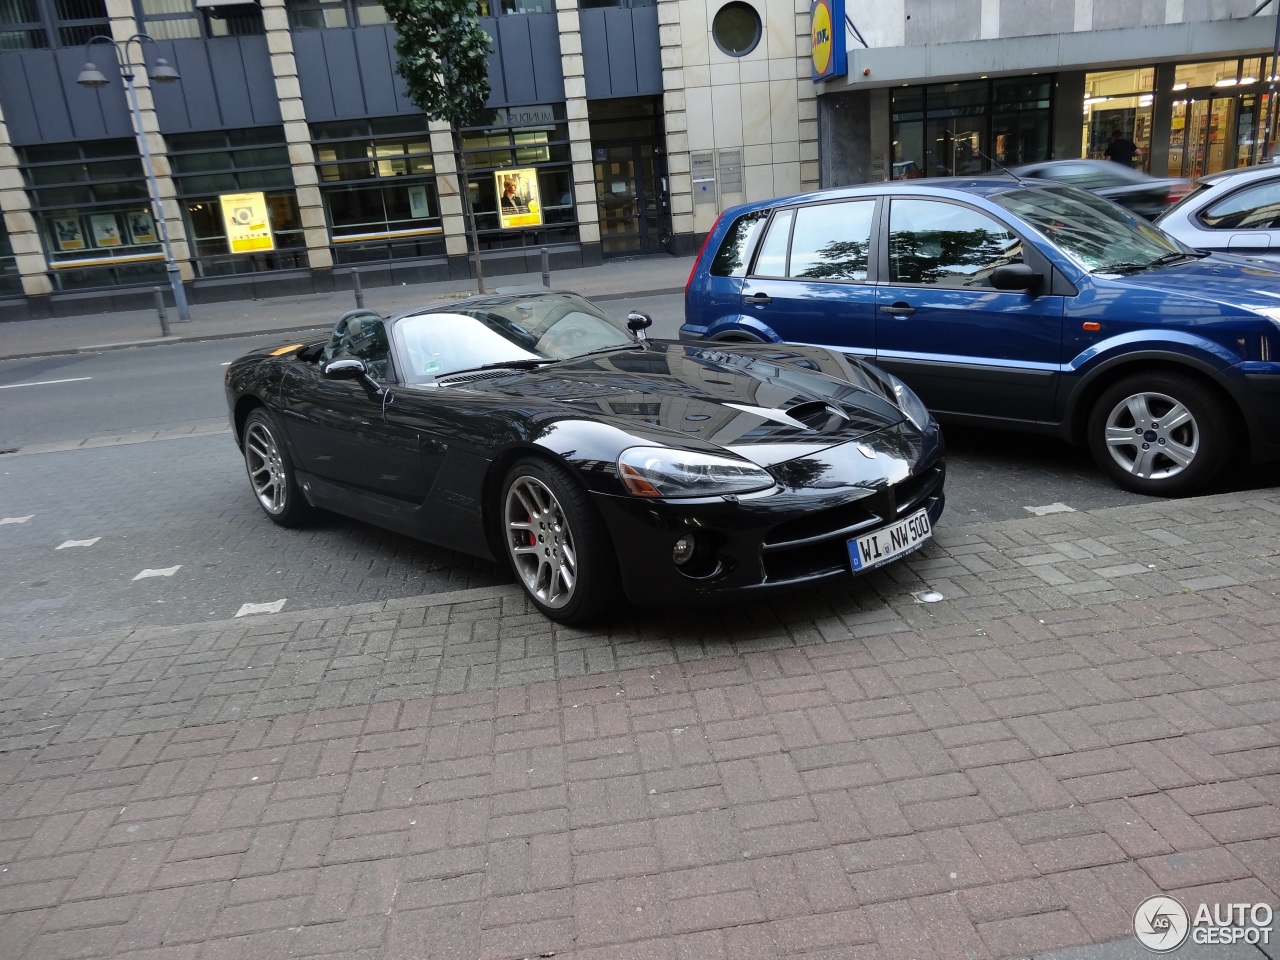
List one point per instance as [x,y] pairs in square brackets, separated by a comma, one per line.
[948,245]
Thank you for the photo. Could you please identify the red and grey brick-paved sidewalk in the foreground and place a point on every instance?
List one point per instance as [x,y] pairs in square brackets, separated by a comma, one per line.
[1091,716]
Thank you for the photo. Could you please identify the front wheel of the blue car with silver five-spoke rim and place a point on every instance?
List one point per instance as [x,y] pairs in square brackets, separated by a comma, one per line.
[1164,435]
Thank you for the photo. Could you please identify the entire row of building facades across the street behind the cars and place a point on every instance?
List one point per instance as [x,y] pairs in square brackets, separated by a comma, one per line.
[614,127]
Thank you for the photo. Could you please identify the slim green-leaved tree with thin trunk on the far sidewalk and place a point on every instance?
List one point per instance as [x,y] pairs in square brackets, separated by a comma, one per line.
[444,58]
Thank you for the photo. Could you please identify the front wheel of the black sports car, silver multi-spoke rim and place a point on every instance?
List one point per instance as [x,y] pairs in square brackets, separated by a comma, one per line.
[557,543]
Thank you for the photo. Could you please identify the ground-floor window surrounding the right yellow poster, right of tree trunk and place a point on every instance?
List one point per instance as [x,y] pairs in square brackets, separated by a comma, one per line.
[497,148]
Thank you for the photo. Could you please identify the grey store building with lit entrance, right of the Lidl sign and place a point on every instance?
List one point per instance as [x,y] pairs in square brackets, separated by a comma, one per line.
[940,89]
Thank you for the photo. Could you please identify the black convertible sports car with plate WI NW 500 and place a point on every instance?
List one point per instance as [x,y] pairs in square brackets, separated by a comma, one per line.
[537,431]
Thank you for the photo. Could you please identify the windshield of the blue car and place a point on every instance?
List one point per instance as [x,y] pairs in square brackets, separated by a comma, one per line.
[1095,234]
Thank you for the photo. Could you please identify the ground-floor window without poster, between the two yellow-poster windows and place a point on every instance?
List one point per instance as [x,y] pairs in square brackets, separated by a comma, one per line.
[378,181]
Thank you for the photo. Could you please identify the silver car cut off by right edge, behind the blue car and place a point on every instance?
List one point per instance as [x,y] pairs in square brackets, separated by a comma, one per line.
[1235,212]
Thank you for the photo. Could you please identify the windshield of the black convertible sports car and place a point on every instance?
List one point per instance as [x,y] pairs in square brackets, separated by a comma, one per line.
[506,331]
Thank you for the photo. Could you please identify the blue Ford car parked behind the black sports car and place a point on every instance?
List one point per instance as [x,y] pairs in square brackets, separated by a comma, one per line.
[1021,305]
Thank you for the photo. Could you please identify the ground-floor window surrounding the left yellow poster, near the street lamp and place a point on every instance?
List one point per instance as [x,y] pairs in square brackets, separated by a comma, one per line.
[255,161]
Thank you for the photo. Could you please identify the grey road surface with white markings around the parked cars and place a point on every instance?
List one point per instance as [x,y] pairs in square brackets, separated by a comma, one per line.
[167,532]
